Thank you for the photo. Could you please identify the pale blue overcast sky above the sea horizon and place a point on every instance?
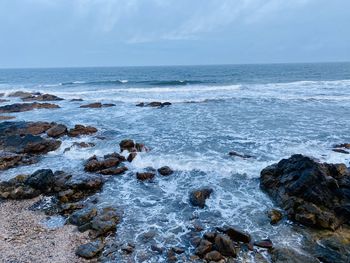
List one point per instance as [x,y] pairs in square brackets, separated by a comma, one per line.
[69,33]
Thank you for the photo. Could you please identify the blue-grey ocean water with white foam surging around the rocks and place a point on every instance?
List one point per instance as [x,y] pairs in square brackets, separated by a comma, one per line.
[267,111]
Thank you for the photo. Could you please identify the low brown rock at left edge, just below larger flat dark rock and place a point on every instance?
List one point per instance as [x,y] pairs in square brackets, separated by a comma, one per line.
[9,160]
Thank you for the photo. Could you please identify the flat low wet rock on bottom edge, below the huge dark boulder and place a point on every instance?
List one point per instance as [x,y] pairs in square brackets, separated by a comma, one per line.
[289,255]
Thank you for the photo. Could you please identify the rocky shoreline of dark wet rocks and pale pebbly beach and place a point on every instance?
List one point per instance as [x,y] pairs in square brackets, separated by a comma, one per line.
[313,195]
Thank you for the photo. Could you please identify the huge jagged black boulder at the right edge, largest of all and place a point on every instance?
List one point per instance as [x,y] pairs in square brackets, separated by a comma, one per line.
[312,193]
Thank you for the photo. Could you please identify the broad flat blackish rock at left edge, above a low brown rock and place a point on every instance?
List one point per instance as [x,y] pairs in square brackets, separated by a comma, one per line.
[28,144]
